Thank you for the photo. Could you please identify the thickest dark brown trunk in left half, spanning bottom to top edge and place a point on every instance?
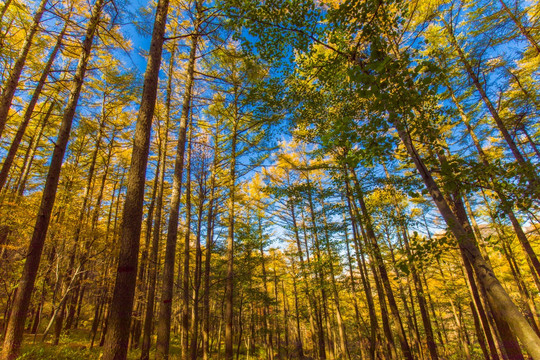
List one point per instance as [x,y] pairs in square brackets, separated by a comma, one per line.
[117,337]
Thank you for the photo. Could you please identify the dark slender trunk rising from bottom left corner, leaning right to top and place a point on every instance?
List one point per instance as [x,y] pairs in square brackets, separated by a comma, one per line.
[15,328]
